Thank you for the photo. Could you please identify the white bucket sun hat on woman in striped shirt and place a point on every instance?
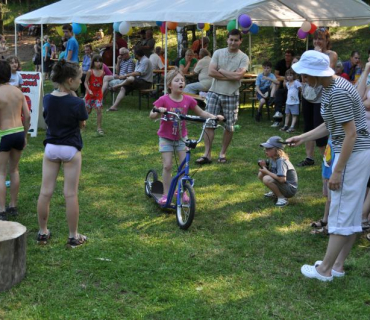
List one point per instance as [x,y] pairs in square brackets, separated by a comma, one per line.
[314,63]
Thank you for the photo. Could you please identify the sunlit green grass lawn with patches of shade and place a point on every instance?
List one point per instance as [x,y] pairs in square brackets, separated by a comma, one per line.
[240,259]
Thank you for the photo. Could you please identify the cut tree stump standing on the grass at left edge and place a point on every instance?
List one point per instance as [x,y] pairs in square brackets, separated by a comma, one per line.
[12,254]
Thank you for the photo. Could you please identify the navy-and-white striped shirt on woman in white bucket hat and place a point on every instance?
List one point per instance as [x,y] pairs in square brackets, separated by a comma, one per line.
[341,103]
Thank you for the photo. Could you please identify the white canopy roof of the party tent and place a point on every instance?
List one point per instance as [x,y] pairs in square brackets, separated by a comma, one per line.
[290,13]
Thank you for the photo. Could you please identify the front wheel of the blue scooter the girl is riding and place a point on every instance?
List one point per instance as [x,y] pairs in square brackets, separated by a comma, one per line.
[186,209]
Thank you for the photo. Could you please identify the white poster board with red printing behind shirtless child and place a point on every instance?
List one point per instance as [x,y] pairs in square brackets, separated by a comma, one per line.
[32,89]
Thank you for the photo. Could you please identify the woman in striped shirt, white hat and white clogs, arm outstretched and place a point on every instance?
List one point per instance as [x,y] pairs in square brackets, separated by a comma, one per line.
[344,119]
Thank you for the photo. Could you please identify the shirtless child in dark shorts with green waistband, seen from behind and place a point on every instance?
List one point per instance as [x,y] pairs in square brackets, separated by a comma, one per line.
[13,137]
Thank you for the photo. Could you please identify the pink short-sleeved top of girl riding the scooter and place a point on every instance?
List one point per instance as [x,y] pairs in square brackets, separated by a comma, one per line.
[170,129]
